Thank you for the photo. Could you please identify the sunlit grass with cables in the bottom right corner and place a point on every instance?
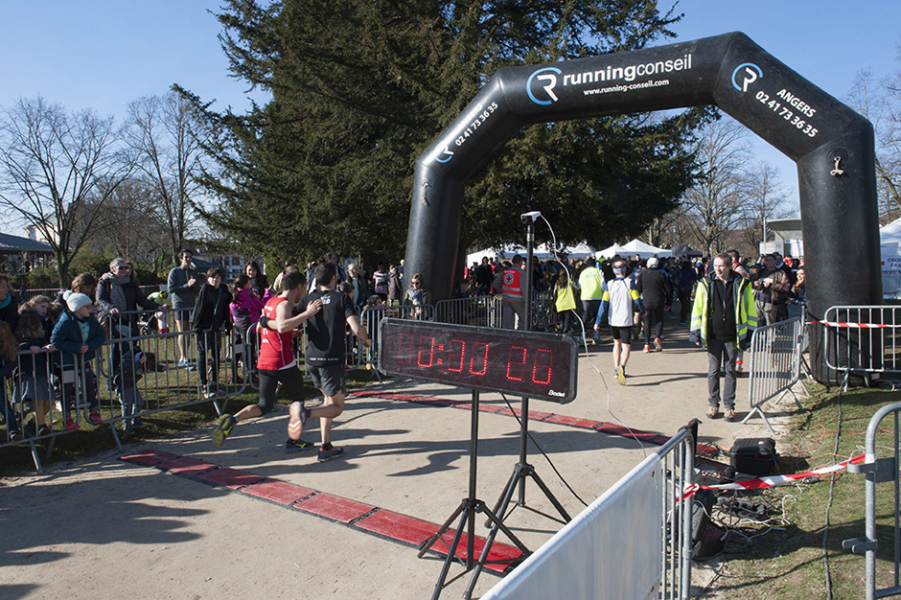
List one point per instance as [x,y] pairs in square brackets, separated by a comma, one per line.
[802,557]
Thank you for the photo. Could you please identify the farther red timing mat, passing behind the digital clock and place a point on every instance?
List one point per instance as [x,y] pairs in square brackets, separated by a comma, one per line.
[534,415]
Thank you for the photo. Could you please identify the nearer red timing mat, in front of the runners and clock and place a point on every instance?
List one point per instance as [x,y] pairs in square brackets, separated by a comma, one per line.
[373,520]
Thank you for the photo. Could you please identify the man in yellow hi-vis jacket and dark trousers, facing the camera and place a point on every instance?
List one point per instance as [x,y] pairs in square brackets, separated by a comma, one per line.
[723,319]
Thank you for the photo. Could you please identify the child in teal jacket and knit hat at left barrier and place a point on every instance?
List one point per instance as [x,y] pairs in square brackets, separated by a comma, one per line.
[77,336]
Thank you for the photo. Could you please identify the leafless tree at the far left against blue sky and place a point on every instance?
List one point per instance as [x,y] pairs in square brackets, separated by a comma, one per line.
[57,171]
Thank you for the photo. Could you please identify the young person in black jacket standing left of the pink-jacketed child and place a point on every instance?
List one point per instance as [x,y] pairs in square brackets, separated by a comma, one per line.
[211,315]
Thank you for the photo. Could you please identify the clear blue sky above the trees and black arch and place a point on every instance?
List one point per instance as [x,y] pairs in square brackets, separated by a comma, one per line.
[102,54]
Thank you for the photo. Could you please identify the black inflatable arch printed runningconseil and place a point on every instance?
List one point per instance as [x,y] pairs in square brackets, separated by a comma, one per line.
[831,143]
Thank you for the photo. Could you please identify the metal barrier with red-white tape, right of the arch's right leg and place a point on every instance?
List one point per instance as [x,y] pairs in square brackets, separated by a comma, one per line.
[862,340]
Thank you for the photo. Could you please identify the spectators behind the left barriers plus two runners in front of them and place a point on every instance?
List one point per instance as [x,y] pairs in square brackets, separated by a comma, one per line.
[44,336]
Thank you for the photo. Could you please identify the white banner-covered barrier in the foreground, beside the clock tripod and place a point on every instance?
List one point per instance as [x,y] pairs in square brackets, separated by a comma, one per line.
[632,542]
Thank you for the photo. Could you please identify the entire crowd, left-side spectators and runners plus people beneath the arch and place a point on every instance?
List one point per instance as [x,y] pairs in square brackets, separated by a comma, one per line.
[725,299]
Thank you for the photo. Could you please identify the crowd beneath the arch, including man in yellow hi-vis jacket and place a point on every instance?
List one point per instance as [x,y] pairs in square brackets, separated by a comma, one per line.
[626,293]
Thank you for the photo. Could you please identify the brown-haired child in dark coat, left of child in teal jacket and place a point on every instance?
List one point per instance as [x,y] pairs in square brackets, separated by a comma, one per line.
[33,382]
